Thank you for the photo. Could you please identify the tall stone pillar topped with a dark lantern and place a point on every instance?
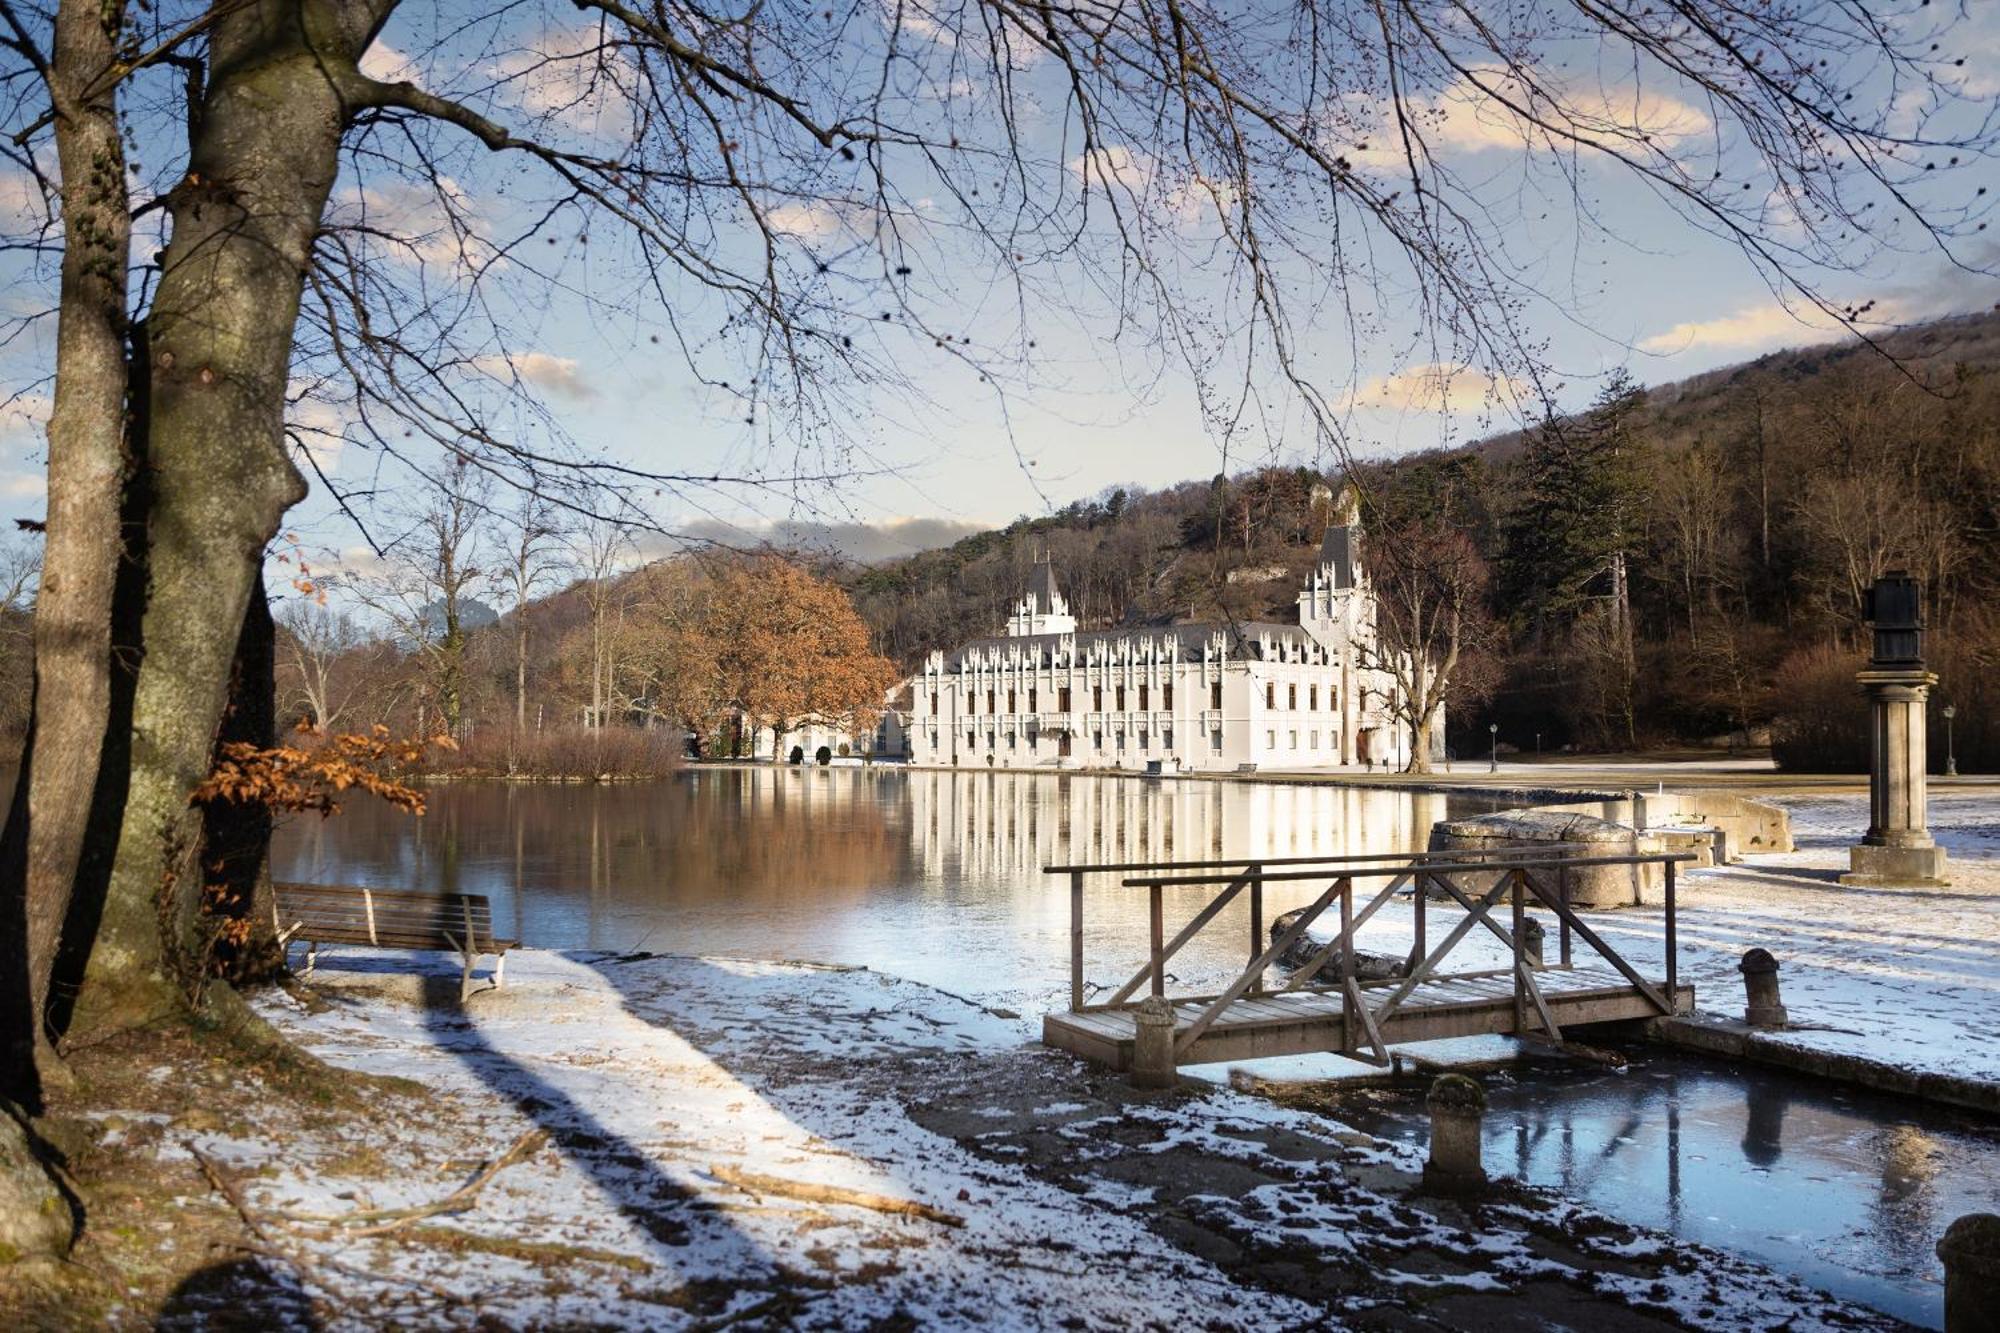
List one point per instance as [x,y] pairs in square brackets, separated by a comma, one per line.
[1899,848]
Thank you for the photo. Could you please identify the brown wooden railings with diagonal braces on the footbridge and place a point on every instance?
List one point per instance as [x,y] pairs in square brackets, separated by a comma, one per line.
[1521,876]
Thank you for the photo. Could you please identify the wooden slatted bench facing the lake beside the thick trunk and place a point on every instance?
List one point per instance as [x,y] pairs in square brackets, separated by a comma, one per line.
[461,924]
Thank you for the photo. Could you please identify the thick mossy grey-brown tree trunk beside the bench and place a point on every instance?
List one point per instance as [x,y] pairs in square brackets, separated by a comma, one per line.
[217,471]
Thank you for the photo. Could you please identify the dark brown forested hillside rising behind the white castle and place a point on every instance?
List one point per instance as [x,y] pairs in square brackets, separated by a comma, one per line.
[1747,507]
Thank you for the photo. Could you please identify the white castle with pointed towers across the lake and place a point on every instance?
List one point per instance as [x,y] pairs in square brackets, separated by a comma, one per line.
[1047,696]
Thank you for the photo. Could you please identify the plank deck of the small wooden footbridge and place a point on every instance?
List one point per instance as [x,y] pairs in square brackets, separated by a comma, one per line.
[1305,1022]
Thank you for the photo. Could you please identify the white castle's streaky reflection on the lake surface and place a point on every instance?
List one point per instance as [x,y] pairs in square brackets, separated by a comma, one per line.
[1015,824]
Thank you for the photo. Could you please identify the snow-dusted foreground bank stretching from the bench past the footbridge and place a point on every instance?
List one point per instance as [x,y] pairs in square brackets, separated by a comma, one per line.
[729,1144]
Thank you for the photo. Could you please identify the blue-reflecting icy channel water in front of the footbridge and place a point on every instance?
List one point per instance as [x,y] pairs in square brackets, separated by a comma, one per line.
[1847,1192]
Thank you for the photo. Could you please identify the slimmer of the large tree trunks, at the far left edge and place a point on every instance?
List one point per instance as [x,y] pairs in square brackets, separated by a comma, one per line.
[45,838]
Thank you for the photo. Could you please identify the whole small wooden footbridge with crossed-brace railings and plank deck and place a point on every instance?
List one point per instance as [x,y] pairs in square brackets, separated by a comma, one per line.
[1347,1014]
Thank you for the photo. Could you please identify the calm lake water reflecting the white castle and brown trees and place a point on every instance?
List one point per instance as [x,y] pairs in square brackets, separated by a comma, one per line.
[927,874]
